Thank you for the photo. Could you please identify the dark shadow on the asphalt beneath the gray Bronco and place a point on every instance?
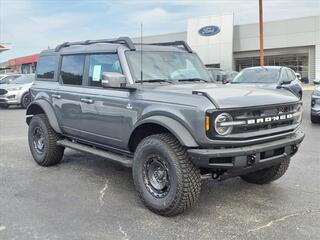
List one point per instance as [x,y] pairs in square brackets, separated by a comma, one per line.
[215,195]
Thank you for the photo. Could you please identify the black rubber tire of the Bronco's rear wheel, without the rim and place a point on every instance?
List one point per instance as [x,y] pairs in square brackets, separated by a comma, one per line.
[52,153]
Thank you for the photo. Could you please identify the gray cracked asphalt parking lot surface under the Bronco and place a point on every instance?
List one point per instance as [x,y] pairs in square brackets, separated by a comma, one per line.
[86,197]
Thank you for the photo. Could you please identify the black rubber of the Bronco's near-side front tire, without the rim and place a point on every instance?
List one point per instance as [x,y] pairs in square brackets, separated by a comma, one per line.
[184,176]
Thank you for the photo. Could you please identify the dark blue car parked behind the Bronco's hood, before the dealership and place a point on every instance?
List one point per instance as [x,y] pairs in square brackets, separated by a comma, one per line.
[273,77]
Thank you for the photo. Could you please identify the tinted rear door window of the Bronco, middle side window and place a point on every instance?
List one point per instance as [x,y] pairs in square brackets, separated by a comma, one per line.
[72,69]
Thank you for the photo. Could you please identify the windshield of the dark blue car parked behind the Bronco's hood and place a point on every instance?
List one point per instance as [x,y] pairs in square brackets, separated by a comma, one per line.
[258,75]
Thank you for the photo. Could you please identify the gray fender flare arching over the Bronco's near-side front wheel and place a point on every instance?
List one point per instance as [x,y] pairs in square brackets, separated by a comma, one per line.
[173,126]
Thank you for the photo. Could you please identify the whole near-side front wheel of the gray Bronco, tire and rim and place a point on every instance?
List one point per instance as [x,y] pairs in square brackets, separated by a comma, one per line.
[166,180]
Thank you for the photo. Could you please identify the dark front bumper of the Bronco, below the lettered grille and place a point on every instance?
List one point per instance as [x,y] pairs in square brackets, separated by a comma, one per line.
[247,158]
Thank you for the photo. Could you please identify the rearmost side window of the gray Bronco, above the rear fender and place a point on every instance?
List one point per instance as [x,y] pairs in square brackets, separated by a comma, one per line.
[46,66]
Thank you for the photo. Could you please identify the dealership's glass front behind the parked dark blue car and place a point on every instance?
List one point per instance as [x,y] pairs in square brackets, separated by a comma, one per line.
[297,62]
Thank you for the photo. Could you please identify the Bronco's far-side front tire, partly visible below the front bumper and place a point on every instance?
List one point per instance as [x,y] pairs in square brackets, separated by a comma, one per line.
[267,175]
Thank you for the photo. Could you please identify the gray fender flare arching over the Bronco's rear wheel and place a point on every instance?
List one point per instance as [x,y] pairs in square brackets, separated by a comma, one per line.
[36,106]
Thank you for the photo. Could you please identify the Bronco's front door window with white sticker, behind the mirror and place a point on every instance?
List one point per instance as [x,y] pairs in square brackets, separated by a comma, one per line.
[100,63]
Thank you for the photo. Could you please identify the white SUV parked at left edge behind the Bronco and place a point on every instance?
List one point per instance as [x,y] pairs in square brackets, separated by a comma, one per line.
[16,92]
